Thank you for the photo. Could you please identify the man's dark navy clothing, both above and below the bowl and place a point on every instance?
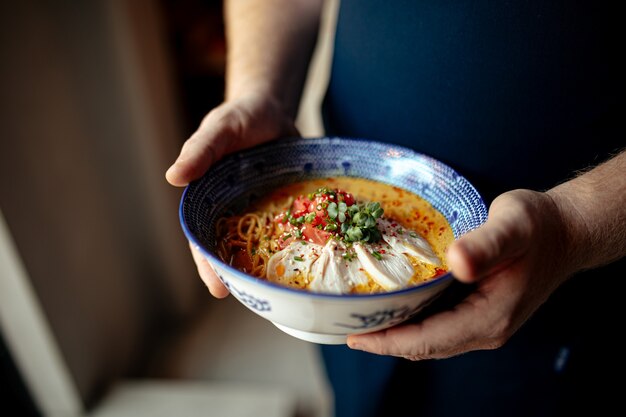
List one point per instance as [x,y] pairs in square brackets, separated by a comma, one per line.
[512,94]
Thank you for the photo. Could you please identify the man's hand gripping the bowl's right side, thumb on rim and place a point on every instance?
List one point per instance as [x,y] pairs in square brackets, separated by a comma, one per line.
[516,260]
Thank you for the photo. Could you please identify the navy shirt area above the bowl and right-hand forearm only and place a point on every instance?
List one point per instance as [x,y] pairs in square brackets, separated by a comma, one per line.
[512,94]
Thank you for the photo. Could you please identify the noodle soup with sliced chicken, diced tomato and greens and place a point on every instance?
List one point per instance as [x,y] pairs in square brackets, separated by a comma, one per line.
[338,235]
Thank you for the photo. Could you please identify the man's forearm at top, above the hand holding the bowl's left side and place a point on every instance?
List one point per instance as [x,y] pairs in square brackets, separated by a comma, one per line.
[269,46]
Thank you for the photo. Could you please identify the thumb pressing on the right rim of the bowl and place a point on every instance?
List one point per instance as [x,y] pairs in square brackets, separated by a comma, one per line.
[504,236]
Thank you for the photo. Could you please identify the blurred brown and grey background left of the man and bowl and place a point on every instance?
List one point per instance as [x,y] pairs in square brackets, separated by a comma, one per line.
[101,309]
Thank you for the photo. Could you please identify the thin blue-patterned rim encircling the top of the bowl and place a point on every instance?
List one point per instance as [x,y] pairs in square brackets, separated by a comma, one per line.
[445,278]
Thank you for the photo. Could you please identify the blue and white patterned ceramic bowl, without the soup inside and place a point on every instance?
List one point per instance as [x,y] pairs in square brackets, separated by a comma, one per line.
[231,184]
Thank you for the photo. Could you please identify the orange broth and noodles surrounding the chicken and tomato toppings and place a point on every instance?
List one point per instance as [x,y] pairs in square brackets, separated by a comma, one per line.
[259,232]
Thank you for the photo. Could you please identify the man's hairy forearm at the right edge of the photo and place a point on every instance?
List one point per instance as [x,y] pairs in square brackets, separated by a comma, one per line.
[593,209]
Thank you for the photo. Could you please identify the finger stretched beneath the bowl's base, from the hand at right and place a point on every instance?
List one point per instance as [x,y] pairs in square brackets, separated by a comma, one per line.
[443,335]
